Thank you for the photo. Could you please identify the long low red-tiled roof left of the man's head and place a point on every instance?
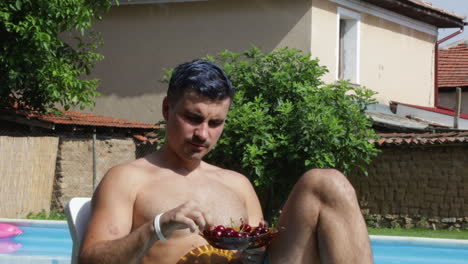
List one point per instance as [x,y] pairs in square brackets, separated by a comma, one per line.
[79,119]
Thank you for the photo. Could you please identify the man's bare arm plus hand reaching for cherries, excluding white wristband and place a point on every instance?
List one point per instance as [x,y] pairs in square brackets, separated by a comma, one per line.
[110,239]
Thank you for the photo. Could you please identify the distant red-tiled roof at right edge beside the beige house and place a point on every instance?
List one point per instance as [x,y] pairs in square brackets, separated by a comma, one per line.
[453,66]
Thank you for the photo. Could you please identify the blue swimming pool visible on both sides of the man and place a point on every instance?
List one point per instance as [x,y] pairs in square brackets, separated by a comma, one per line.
[49,242]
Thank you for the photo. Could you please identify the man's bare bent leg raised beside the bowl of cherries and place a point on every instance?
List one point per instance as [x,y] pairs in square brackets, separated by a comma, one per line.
[323,223]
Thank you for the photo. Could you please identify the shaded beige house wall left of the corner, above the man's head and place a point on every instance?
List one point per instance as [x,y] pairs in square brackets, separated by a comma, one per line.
[141,40]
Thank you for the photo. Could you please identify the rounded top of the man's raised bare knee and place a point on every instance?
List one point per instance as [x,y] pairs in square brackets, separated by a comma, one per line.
[329,185]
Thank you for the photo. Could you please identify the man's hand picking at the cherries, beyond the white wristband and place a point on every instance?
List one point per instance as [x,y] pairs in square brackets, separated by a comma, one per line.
[188,215]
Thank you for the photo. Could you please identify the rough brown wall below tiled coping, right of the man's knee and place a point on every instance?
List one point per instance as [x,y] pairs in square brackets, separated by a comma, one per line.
[411,185]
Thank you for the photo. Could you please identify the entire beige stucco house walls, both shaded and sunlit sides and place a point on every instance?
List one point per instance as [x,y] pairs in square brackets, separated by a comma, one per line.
[141,40]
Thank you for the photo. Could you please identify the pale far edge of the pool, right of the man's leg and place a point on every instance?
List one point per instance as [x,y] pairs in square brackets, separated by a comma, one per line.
[420,241]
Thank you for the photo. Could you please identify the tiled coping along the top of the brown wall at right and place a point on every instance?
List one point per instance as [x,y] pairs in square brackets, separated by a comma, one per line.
[401,139]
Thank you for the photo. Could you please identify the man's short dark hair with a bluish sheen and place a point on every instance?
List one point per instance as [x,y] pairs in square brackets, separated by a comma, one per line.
[201,76]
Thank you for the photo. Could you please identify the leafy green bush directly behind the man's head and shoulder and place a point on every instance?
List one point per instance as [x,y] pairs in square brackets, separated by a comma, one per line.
[284,120]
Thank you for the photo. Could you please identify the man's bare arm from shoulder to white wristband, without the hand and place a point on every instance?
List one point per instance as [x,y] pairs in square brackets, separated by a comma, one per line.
[109,238]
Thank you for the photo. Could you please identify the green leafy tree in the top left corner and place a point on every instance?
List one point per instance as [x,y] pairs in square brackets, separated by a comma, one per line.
[37,68]
